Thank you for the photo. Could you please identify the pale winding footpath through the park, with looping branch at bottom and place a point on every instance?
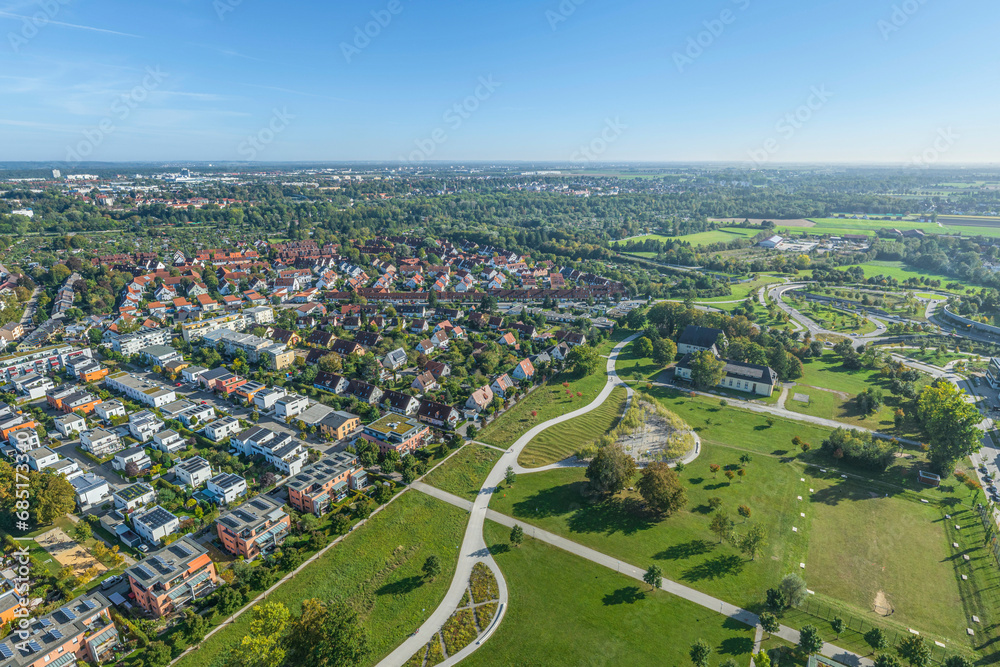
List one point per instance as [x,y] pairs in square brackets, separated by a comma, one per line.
[474,549]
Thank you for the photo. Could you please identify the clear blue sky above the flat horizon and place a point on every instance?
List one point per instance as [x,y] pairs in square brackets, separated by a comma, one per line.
[610,80]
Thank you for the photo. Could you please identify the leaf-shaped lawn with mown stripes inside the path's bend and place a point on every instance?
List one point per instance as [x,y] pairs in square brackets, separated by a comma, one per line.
[563,440]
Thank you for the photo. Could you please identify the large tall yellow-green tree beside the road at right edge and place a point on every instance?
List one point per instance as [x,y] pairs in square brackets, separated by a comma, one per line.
[953,424]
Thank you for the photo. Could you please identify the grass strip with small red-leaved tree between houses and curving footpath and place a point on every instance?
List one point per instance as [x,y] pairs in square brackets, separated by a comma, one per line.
[548,401]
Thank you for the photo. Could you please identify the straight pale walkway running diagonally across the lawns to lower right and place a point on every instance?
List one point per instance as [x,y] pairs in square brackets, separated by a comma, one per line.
[731,611]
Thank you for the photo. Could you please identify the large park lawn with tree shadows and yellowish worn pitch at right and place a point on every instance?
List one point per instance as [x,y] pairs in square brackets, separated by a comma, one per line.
[856,533]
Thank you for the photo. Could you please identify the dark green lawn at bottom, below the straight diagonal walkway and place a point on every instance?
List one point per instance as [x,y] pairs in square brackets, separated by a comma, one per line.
[565,610]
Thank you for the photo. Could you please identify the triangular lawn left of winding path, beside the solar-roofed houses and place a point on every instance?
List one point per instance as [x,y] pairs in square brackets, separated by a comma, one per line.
[376,569]
